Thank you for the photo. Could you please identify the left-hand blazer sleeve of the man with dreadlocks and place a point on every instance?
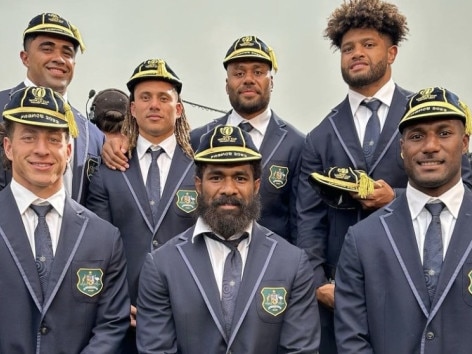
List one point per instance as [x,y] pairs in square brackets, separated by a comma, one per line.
[97,197]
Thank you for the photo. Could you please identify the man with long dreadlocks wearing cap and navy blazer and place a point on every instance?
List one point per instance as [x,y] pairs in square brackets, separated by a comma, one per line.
[155,198]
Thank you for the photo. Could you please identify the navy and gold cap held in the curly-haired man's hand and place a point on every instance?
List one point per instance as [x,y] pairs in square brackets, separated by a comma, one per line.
[335,184]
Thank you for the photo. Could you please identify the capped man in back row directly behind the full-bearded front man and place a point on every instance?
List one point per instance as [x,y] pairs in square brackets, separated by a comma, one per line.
[249,63]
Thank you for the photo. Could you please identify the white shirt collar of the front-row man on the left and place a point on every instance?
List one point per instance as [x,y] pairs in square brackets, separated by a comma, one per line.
[24,198]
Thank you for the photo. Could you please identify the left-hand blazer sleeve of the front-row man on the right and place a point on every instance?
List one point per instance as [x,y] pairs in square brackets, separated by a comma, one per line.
[350,314]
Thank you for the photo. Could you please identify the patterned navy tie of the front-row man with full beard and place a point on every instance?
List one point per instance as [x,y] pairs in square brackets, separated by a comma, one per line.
[231,278]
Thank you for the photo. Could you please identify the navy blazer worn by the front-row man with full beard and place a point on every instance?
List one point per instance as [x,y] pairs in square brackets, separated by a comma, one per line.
[179,307]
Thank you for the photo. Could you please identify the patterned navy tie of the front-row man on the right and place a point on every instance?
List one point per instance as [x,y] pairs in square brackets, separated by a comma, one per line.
[433,249]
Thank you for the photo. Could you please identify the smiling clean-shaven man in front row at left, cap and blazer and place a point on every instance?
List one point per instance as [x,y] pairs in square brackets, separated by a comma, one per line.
[80,303]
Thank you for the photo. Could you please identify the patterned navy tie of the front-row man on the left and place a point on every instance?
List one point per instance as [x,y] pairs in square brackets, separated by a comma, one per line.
[43,244]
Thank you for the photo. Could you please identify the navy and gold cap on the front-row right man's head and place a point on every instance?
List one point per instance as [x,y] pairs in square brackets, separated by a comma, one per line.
[436,102]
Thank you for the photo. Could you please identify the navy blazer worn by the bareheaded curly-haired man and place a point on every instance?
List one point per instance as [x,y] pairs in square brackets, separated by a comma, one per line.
[334,142]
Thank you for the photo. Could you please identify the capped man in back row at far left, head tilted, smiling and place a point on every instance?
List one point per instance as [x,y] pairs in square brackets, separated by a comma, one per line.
[50,44]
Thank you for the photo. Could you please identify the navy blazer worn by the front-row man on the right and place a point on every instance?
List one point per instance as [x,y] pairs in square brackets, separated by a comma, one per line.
[382,304]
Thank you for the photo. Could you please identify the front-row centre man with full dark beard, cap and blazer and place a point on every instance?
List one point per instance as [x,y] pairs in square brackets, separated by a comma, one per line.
[184,286]
